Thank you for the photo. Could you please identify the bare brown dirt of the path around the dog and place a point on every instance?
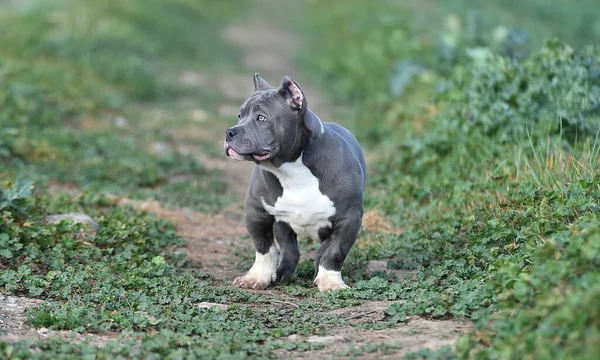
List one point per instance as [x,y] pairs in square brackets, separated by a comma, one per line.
[268,49]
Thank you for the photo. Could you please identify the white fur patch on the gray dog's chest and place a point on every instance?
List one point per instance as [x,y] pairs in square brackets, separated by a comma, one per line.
[302,205]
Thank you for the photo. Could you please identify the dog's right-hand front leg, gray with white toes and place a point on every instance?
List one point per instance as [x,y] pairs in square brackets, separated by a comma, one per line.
[333,251]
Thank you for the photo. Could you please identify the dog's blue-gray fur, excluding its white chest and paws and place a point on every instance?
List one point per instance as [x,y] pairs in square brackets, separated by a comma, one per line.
[328,150]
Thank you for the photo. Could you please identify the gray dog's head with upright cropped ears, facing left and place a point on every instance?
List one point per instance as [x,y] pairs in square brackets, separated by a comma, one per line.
[270,123]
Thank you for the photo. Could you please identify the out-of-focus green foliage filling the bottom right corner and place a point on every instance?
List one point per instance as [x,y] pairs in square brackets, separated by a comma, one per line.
[549,303]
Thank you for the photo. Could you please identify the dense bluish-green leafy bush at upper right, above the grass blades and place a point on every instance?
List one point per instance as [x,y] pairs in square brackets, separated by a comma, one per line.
[554,92]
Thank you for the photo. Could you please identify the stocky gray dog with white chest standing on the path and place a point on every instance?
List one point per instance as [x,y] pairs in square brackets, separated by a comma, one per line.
[309,182]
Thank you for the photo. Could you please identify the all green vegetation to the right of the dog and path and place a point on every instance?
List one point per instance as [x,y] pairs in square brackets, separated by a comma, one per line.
[494,183]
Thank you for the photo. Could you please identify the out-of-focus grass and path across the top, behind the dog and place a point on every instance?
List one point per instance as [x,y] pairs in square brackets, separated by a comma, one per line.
[102,86]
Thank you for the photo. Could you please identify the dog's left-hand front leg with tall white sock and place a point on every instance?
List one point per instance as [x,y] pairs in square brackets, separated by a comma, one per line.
[264,270]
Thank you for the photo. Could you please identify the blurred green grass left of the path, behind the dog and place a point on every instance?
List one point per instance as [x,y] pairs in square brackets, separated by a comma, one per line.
[67,64]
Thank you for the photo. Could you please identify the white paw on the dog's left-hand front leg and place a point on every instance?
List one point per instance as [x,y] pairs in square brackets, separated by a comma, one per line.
[262,273]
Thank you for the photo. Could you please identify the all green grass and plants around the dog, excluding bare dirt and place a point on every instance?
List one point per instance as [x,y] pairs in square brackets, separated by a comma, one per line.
[484,130]
